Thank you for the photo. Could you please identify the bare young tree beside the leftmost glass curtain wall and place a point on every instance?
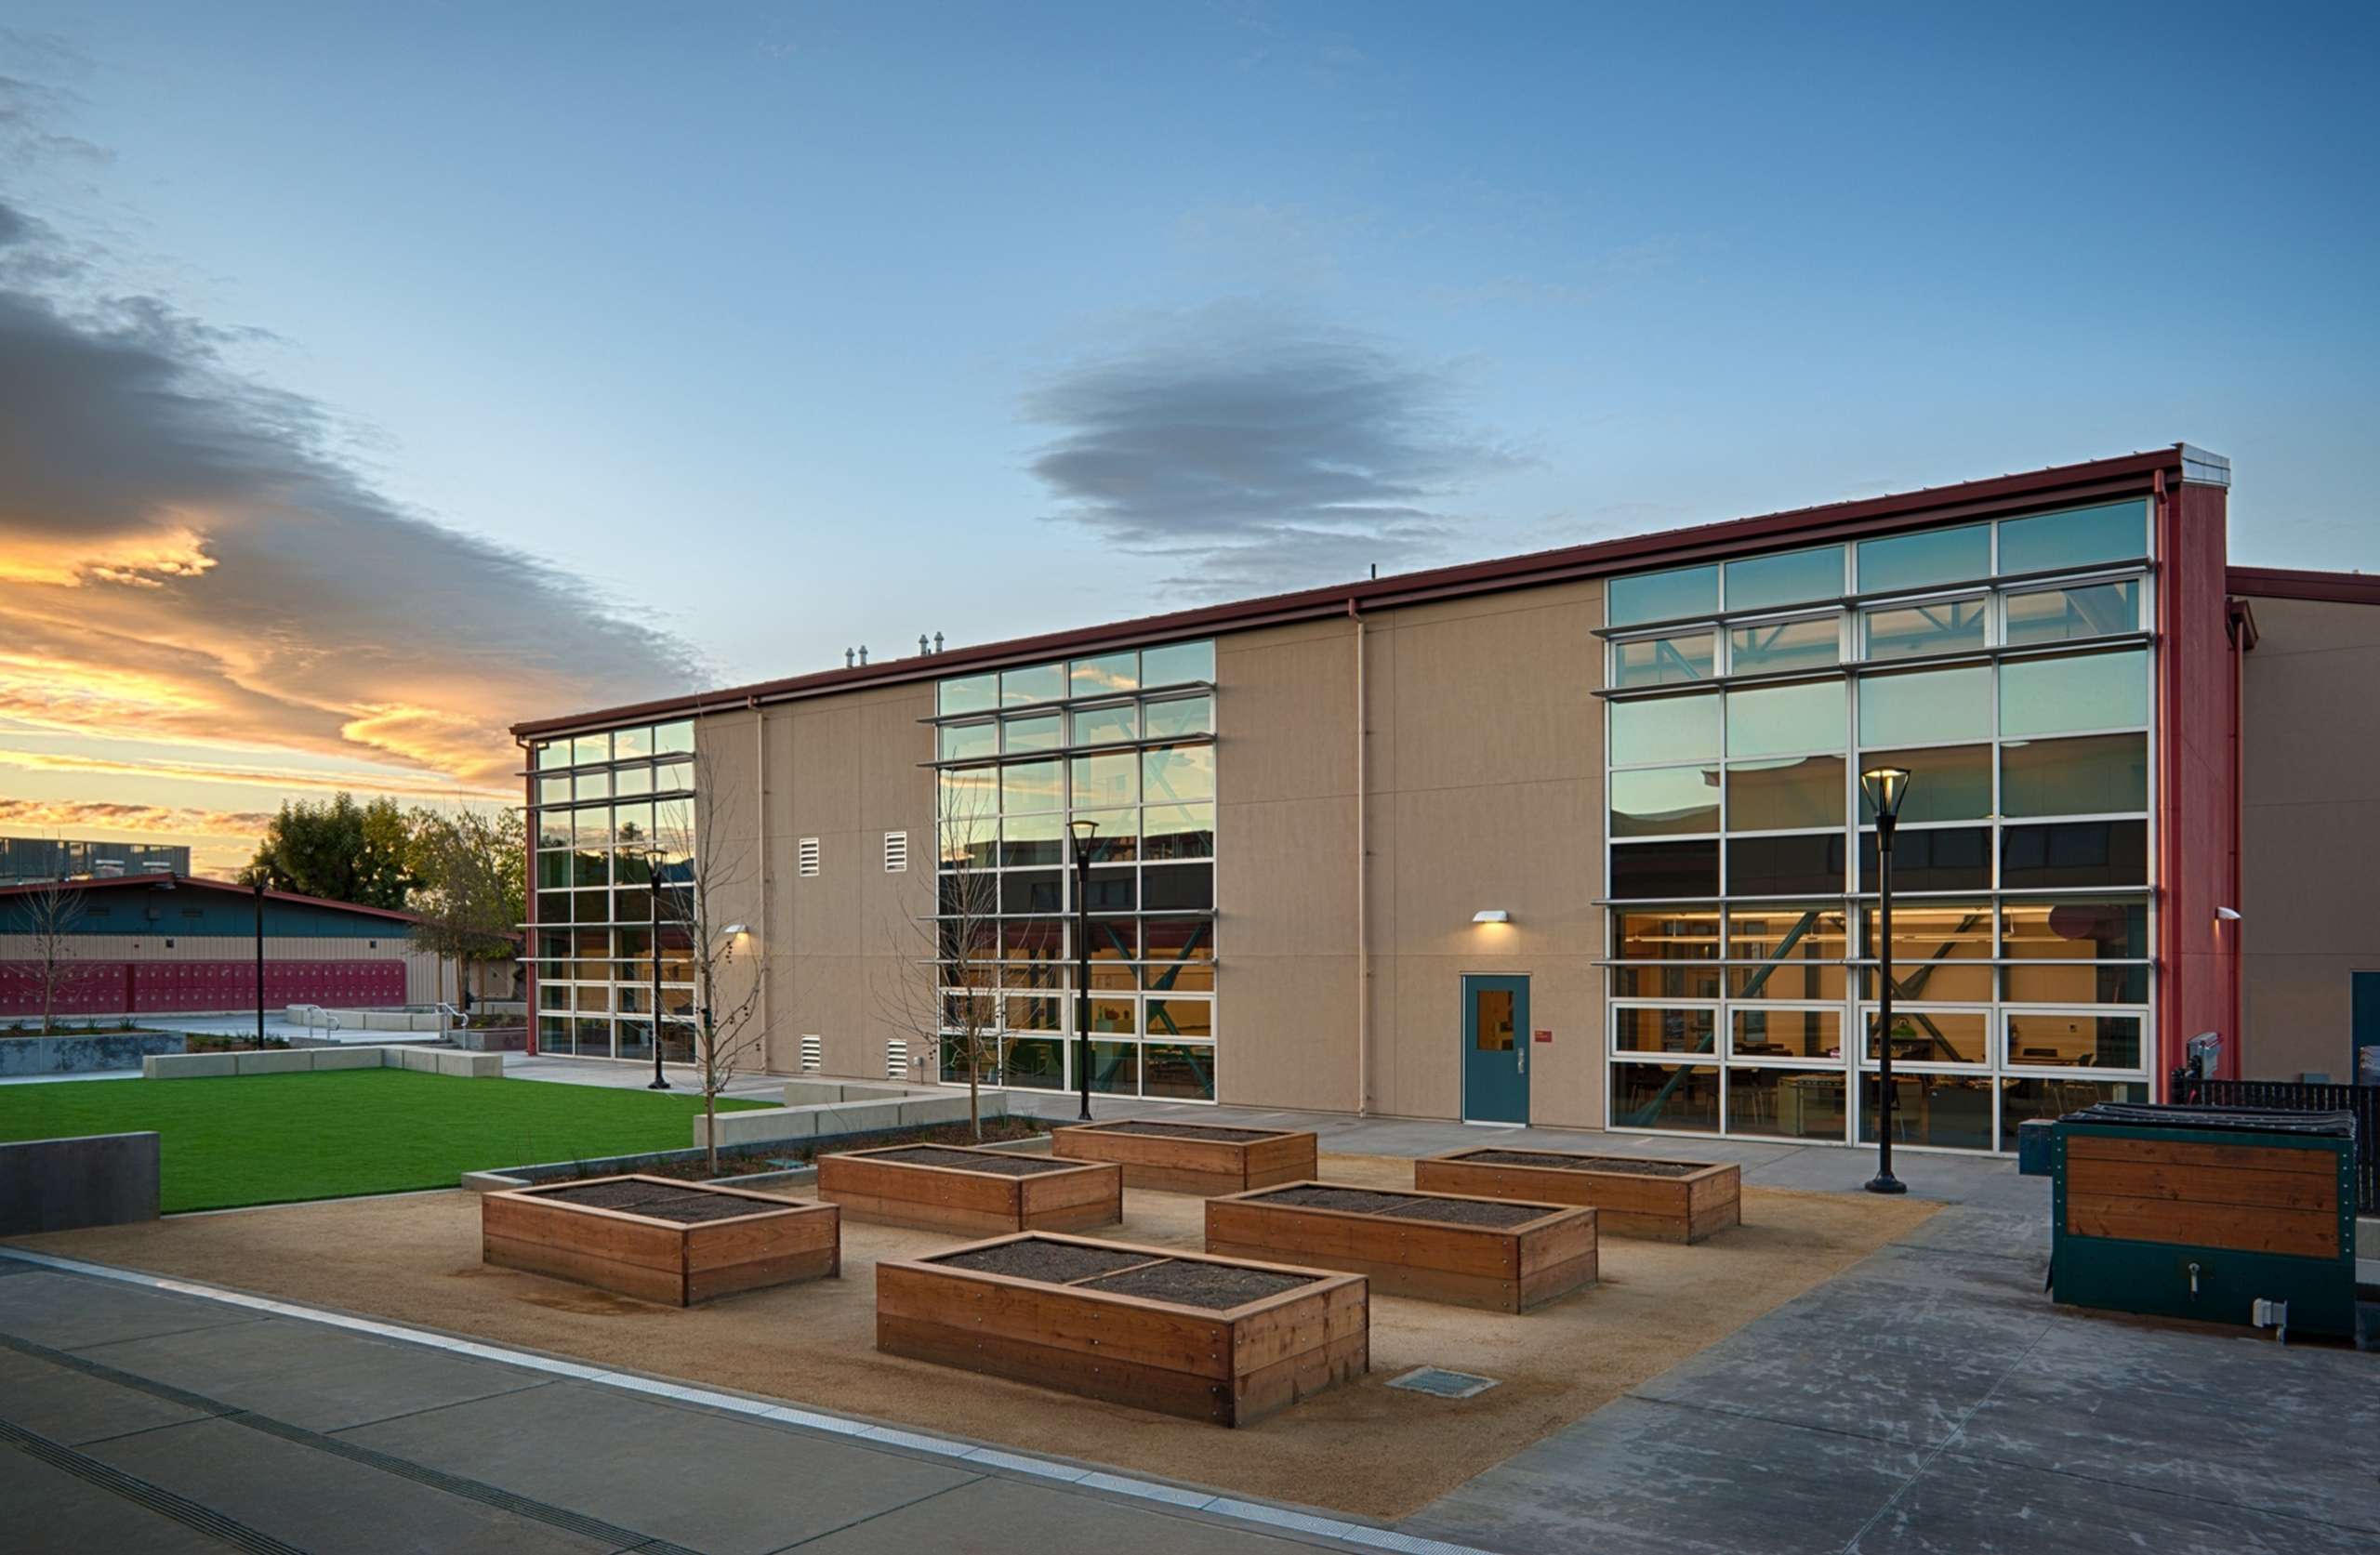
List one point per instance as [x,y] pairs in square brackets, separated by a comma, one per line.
[699,869]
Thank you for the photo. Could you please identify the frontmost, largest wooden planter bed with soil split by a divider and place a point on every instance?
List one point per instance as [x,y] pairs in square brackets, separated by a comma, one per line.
[1191,1335]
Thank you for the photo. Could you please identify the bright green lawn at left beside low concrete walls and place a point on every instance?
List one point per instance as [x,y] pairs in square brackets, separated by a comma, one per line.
[282,1138]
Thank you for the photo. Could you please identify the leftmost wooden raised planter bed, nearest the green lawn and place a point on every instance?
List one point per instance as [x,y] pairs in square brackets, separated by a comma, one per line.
[660,1240]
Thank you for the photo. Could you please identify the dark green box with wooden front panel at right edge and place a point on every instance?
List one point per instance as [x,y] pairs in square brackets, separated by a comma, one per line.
[2205,1214]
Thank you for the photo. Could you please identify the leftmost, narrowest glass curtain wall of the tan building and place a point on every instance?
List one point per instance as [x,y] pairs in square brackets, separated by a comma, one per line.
[615,824]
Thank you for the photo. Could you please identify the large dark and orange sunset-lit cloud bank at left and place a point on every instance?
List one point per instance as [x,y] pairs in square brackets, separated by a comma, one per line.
[184,555]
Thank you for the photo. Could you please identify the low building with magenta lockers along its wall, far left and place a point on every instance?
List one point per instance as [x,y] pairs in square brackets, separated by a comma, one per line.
[180,945]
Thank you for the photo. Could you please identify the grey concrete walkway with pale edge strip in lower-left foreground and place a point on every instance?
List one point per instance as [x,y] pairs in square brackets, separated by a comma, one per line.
[146,1418]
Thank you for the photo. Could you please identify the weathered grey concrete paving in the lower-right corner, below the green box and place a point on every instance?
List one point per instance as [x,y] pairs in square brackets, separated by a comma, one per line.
[1934,1399]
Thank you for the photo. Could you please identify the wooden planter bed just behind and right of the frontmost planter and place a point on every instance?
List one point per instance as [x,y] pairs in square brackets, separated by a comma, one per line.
[1491,1254]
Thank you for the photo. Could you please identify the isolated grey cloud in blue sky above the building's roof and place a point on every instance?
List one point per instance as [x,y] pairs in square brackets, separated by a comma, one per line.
[1260,451]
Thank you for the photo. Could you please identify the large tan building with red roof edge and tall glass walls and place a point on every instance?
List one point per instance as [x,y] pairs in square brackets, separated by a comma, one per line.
[1567,838]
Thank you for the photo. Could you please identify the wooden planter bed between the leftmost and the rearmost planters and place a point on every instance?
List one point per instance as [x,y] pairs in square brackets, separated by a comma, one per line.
[972,1190]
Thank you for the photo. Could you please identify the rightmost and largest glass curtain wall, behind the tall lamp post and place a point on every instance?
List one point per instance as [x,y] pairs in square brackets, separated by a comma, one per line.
[2008,667]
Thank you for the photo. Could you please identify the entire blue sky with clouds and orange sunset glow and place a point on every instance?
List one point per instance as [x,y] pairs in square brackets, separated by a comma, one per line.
[380,377]
